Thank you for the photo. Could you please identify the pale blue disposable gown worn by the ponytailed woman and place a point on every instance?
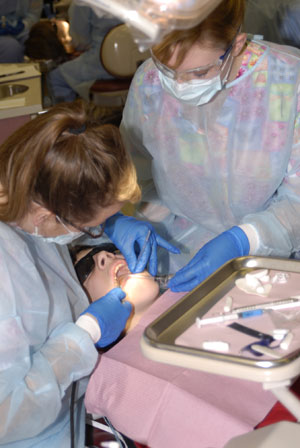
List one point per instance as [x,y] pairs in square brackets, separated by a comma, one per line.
[41,350]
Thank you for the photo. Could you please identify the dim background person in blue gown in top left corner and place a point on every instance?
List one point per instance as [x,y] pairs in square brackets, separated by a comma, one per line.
[17,18]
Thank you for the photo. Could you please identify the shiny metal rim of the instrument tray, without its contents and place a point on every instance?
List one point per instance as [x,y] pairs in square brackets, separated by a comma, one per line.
[158,341]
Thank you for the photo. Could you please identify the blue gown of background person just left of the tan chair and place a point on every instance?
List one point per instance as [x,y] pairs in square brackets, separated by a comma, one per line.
[87,30]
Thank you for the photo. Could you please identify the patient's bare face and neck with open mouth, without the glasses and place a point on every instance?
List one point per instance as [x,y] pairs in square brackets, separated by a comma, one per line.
[111,271]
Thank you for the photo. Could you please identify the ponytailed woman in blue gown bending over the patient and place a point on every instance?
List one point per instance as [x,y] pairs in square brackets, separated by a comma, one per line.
[61,176]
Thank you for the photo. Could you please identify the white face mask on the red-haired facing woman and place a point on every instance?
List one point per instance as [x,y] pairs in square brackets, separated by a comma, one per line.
[196,92]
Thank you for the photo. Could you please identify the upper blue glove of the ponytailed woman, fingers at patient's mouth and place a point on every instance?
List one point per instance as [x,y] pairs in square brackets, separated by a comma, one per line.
[126,231]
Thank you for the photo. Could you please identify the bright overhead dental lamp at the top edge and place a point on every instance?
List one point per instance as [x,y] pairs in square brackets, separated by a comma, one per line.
[151,20]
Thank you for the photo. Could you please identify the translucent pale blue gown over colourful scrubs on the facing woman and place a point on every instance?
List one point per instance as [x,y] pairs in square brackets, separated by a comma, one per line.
[235,160]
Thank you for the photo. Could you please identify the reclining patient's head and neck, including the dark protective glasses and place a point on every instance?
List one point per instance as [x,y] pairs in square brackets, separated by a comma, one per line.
[102,268]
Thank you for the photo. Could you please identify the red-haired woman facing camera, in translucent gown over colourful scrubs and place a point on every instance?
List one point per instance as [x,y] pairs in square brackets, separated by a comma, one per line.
[213,123]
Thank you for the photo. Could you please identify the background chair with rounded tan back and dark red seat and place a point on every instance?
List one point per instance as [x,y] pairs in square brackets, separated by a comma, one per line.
[120,57]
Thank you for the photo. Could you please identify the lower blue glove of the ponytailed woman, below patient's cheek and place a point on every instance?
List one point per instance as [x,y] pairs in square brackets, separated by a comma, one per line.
[111,314]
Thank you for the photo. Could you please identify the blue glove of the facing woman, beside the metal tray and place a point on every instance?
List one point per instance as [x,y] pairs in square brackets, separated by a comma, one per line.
[230,244]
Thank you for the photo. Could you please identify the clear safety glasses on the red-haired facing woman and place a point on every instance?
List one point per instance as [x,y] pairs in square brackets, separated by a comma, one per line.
[205,72]
